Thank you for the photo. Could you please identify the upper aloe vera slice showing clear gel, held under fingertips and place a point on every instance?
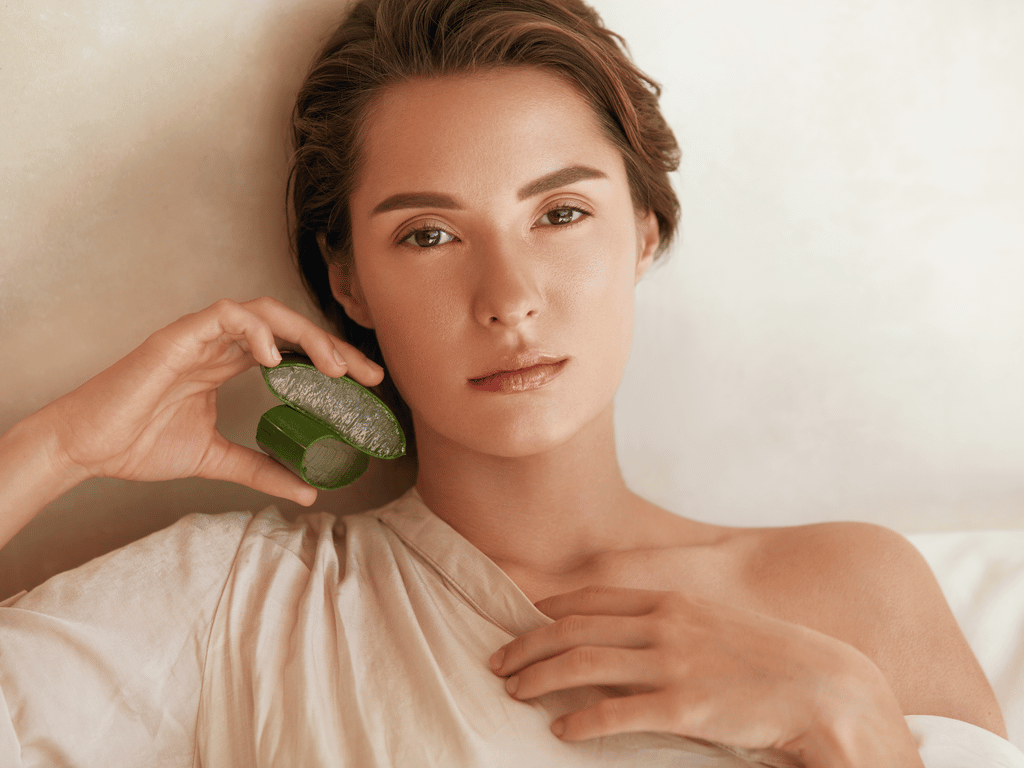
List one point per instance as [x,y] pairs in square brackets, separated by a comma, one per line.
[358,415]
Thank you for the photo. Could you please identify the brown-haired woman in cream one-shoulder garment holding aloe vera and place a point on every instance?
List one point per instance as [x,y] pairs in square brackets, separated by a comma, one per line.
[478,189]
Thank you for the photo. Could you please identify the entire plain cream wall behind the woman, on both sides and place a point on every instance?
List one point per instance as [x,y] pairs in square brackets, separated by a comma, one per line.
[839,334]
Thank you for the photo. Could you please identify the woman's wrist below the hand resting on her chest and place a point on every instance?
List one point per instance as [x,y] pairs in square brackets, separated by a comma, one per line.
[859,722]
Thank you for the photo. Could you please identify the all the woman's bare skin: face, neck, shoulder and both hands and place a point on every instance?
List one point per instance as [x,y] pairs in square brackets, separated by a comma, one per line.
[475,240]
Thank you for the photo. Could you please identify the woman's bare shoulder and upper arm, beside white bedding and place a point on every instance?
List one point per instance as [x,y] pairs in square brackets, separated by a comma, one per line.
[869,586]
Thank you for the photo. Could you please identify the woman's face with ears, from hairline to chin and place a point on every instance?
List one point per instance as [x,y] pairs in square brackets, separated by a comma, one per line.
[493,230]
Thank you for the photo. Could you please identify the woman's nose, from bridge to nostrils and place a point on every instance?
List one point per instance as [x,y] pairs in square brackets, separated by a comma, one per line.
[508,291]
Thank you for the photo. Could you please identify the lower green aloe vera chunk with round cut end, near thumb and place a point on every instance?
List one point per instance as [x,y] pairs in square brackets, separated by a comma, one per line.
[310,448]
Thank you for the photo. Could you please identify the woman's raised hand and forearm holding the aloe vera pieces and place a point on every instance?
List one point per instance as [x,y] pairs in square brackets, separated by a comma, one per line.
[152,416]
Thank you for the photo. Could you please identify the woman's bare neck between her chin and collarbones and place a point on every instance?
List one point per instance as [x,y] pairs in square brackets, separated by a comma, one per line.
[548,514]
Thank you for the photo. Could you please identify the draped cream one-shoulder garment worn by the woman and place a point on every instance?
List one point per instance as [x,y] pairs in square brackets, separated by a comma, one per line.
[235,641]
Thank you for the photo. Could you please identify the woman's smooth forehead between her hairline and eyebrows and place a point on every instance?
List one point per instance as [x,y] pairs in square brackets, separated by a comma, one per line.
[506,127]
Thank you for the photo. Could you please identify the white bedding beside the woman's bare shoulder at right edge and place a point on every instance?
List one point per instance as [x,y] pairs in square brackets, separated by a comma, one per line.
[983,576]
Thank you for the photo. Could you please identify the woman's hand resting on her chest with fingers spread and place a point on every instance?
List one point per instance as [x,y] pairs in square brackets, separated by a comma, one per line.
[705,670]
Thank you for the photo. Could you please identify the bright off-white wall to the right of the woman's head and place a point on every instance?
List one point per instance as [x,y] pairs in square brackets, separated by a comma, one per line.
[846,312]
